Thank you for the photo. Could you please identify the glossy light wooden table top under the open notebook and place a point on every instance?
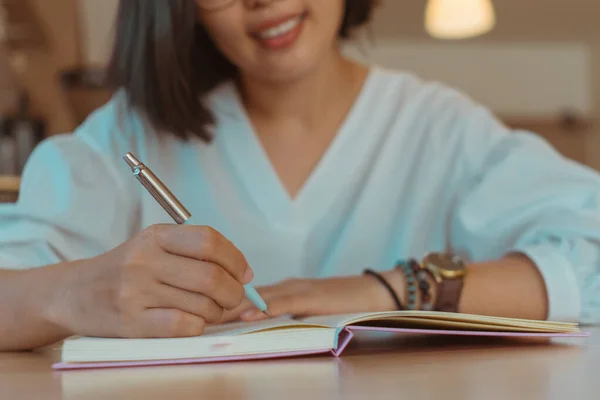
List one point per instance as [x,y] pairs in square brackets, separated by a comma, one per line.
[397,368]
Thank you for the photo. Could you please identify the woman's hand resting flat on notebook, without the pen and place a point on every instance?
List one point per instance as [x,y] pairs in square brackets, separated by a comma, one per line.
[304,297]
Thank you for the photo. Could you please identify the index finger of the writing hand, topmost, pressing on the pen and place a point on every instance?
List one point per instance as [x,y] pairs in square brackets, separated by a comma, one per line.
[203,244]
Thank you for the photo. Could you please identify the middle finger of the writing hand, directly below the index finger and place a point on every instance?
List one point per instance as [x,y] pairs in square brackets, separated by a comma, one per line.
[204,278]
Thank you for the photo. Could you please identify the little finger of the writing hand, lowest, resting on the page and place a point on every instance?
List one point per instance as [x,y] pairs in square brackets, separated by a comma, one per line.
[165,323]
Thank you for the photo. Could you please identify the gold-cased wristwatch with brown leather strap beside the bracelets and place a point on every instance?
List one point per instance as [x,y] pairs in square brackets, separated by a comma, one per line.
[449,271]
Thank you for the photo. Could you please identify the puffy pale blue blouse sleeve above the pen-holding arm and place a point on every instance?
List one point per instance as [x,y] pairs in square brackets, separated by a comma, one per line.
[72,205]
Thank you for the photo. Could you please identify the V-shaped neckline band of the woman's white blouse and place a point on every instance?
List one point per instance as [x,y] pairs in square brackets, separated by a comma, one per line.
[250,162]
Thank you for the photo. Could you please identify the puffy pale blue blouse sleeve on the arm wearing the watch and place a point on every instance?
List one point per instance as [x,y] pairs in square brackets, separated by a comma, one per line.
[520,195]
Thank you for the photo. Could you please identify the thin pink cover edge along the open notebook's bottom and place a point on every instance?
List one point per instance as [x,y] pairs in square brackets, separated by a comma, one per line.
[344,339]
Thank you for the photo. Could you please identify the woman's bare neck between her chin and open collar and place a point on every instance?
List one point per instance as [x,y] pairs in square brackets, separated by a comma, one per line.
[304,101]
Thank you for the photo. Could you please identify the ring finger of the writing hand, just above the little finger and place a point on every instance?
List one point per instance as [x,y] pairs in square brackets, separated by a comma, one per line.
[189,302]
